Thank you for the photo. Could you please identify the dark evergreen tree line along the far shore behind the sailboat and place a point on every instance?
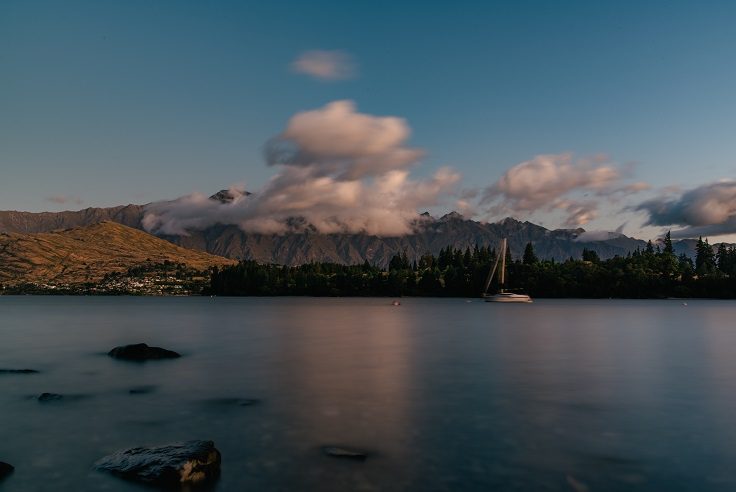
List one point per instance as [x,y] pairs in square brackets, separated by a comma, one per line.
[654,272]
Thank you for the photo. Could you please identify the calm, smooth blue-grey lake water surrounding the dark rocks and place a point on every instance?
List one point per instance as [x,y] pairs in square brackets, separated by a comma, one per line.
[445,394]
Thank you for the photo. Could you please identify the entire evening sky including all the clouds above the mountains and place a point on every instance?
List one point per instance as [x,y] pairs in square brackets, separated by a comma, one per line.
[358,115]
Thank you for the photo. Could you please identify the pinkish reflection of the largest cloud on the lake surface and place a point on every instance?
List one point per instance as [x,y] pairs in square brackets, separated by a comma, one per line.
[344,373]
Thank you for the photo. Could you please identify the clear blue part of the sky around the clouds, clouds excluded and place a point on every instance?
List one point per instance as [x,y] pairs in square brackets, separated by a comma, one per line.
[105,103]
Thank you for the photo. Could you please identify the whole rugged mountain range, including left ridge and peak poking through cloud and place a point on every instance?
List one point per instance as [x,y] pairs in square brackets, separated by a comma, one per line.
[429,236]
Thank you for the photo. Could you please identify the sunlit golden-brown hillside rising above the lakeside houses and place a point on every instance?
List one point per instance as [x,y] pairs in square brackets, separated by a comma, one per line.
[88,253]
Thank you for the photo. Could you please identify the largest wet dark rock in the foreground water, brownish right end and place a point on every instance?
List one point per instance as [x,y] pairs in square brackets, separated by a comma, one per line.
[183,463]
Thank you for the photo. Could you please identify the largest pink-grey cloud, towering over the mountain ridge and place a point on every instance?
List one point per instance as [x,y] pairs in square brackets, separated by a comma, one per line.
[339,170]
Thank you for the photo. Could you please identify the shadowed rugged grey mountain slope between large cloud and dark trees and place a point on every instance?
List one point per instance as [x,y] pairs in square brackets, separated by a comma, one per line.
[429,236]
